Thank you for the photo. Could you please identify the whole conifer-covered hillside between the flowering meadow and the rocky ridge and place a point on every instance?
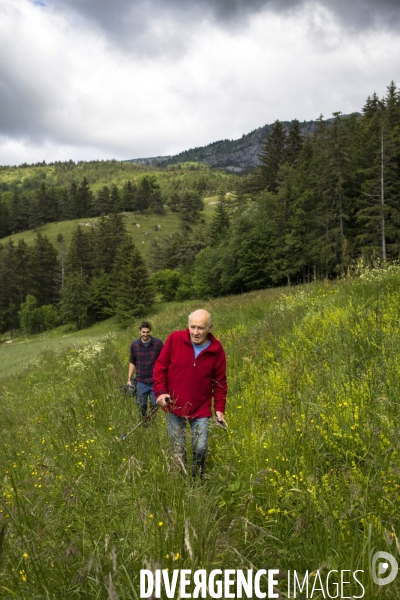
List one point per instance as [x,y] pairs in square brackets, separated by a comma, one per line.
[312,209]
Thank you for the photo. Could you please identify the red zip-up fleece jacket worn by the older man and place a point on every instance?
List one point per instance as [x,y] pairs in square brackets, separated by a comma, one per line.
[191,383]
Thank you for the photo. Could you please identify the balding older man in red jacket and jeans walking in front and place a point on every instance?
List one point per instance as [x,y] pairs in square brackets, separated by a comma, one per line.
[191,370]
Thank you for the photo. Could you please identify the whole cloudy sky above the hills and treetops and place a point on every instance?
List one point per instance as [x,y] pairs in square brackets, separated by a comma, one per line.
[96,79]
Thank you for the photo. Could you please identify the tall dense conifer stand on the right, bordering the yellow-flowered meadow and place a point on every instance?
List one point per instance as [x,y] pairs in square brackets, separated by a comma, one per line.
[317,205]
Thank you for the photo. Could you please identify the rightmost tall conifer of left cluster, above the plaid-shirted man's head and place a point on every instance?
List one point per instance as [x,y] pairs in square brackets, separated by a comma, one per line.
[133,292]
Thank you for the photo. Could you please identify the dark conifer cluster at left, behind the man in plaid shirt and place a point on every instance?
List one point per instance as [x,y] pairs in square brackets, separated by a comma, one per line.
[100,274]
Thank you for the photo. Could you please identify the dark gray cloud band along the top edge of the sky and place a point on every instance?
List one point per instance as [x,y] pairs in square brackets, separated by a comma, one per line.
[131,23]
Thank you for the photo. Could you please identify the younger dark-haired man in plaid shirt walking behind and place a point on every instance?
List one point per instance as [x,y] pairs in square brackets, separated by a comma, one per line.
[144,353]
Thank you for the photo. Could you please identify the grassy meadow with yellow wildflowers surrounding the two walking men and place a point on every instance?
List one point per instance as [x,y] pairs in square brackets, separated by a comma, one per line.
[307,477]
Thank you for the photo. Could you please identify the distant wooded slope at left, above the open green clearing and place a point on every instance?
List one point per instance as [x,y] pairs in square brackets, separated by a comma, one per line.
[30,202]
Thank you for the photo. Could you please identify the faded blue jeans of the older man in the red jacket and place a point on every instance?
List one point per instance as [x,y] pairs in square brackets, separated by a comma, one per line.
[176,429]
